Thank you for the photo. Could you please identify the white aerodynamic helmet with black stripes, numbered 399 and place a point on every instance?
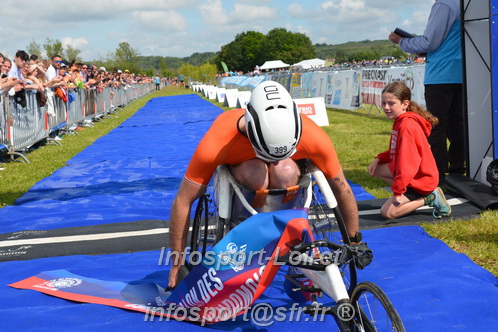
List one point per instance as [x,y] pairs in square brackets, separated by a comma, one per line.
[273,122]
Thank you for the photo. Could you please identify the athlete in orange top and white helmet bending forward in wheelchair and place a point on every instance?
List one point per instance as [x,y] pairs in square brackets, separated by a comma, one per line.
[264,147]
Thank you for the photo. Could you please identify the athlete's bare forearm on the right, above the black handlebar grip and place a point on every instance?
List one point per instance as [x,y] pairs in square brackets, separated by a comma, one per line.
[346,202]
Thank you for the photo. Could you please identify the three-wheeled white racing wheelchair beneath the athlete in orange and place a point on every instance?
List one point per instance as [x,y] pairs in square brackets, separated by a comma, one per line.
[225,204]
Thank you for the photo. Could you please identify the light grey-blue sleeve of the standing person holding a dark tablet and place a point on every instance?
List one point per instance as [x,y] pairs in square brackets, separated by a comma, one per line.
[441,19]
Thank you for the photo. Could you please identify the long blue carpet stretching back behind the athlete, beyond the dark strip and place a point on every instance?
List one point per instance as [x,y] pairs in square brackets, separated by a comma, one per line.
[130,174]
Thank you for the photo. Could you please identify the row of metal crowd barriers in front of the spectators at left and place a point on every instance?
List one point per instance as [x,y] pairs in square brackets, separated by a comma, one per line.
[22,127]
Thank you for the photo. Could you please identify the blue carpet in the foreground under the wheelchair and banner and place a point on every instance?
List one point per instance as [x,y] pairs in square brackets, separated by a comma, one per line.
[432,287]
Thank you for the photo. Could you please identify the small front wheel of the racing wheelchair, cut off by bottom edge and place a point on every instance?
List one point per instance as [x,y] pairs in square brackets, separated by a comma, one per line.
[373,311]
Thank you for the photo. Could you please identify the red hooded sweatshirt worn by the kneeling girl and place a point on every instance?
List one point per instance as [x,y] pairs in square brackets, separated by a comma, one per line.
[410,157]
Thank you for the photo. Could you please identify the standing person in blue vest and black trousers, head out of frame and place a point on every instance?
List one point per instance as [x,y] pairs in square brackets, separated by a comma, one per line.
[443,83]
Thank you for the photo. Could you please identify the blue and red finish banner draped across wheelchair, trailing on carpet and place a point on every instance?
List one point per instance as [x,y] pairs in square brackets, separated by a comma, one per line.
[225,284]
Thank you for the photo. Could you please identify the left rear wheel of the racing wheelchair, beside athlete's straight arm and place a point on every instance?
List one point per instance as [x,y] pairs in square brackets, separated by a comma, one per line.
[208,228]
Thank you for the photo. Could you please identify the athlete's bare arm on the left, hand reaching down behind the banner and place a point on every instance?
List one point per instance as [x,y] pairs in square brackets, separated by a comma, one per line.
[179,222]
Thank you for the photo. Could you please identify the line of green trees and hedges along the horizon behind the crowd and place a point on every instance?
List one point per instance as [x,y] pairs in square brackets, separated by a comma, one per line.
[244,53]
